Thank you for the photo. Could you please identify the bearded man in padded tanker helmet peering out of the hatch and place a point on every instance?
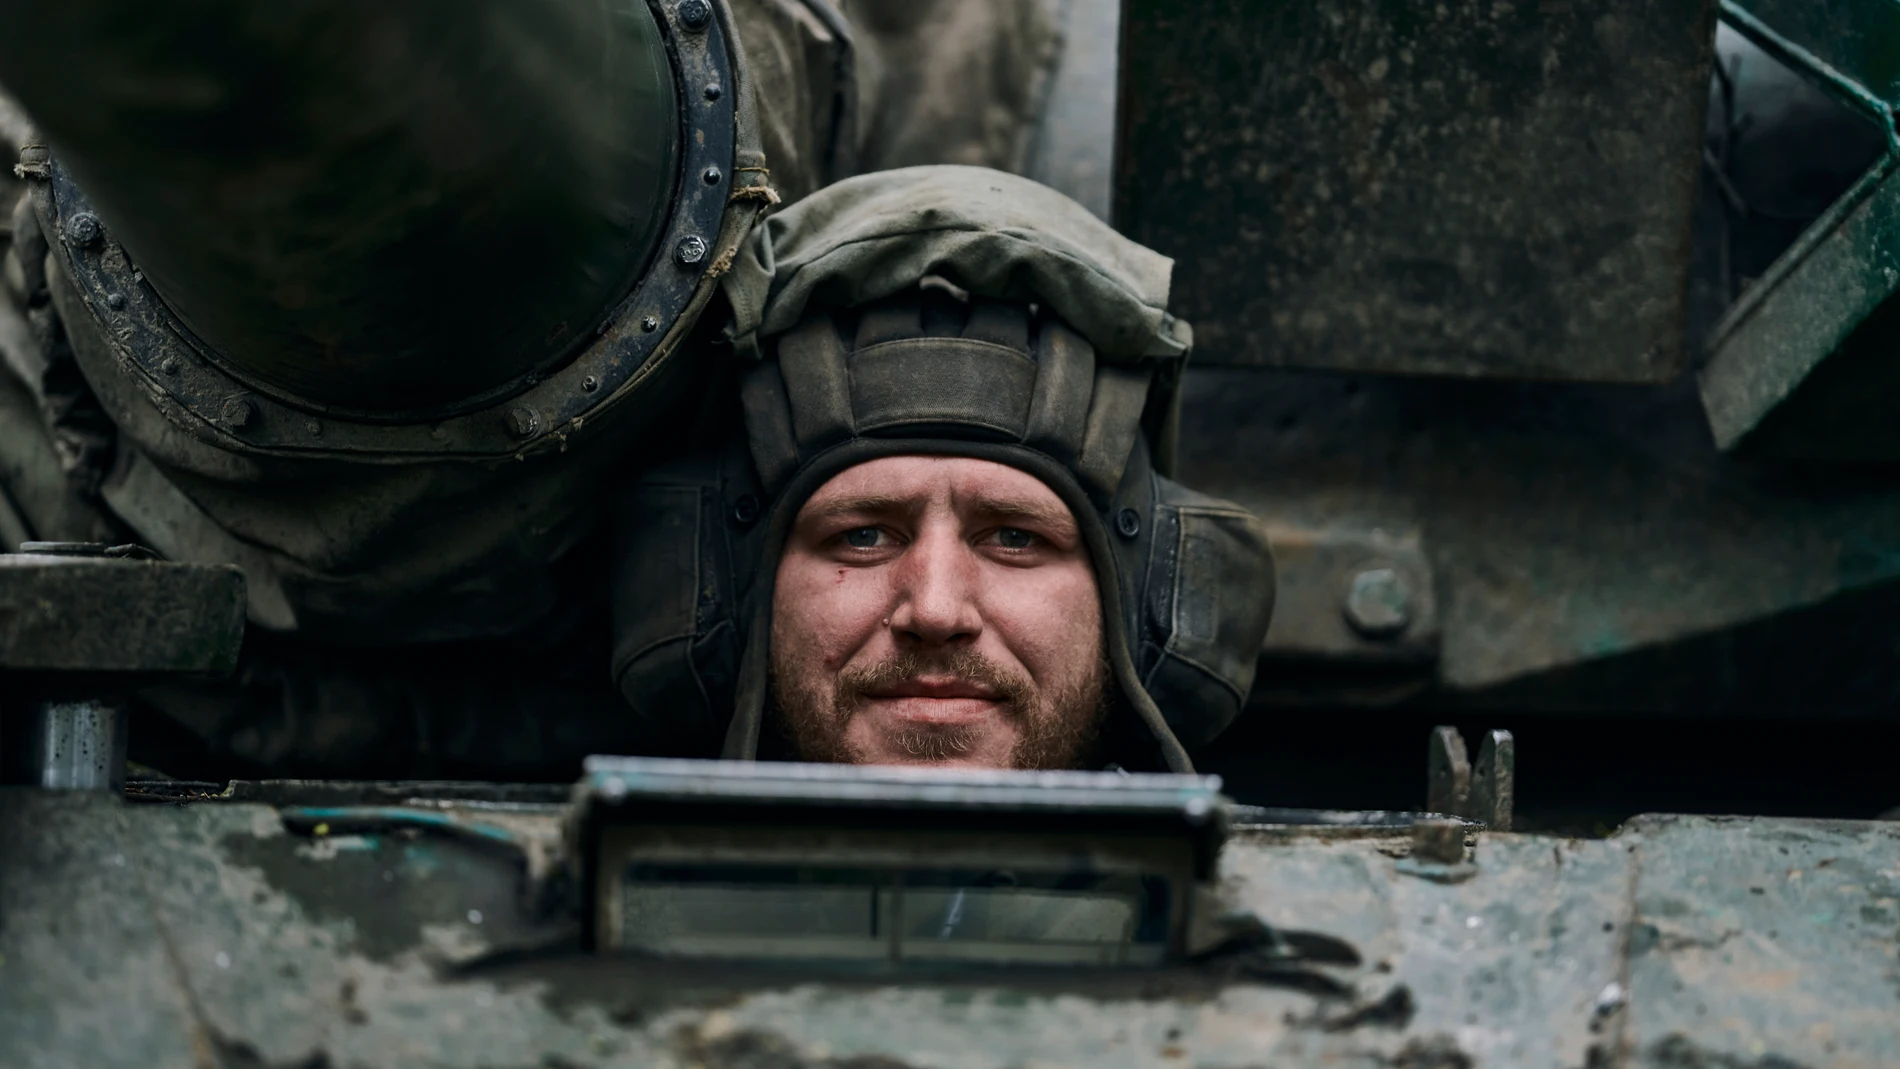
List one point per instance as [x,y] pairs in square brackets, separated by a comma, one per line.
[941,533]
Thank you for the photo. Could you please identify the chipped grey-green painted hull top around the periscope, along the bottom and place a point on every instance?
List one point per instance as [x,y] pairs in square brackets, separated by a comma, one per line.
[212,935]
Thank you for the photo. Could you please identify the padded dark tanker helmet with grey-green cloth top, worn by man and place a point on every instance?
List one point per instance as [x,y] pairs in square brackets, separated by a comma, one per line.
[1046,364]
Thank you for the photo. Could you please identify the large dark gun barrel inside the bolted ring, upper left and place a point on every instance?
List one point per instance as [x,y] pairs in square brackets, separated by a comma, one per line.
[360,204]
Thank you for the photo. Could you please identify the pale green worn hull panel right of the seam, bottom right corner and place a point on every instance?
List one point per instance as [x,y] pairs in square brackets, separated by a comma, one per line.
[1764,943]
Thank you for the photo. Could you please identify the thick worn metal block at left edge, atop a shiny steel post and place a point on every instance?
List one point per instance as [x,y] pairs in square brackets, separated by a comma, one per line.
[94,614]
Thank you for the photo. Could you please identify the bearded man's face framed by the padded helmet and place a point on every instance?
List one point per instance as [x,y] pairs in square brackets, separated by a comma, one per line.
[938,610]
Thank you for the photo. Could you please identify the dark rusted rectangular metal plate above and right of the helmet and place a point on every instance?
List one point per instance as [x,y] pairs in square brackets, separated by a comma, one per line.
[1460,189]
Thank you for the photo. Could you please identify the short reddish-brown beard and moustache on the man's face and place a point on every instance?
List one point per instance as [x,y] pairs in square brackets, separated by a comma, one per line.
[1055,730]
